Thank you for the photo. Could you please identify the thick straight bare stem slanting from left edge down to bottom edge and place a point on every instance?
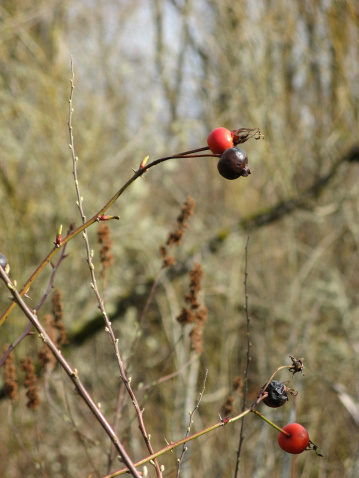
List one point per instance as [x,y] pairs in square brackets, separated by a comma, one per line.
[72,373]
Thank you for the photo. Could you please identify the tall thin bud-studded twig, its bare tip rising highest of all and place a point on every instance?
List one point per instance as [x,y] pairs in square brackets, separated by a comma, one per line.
[108,328]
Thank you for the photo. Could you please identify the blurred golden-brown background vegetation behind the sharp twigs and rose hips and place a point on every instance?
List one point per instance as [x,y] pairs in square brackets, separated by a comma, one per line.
[153,78]
